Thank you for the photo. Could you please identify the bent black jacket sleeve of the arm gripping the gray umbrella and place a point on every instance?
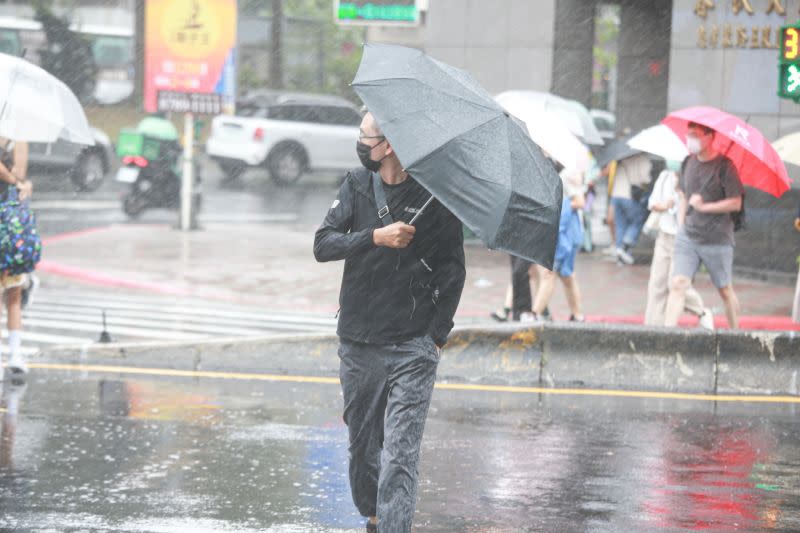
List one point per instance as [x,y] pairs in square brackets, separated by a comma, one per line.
[334,241]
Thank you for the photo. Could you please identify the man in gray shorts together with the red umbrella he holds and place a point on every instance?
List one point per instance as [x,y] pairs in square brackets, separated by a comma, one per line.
[725,154]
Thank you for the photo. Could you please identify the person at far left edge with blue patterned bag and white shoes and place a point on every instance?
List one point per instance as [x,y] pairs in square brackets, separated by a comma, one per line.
[20,246]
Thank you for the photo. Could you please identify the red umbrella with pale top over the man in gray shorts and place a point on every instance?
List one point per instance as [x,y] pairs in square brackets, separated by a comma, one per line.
[756,160]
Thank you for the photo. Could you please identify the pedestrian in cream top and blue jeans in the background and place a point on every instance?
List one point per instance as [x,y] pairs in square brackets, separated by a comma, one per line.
[631,180]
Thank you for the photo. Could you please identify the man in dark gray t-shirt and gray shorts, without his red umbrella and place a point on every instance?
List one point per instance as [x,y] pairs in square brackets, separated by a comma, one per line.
[710,191]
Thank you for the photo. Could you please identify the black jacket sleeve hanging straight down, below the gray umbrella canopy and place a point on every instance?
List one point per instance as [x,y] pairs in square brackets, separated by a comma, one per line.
[449,277]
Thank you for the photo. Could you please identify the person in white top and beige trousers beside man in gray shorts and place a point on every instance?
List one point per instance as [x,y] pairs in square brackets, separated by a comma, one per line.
[664,201]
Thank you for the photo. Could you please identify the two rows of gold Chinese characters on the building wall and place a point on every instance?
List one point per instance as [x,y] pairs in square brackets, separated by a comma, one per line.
[733,35]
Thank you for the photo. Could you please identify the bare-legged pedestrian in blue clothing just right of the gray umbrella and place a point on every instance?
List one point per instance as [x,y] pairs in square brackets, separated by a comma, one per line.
[570,240]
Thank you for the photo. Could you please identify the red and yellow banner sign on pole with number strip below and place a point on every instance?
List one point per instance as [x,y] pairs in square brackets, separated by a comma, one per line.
[190,55]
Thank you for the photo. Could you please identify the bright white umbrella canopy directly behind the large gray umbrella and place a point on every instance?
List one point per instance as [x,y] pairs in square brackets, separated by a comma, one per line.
[548,131]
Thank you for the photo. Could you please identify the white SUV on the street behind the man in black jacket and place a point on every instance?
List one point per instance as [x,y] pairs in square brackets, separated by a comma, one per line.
[286,133]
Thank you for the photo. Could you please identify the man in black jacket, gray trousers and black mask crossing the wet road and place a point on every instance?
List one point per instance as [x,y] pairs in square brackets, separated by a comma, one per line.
[400,290]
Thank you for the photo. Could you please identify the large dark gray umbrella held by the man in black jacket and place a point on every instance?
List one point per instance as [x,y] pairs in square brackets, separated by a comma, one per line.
[465,149]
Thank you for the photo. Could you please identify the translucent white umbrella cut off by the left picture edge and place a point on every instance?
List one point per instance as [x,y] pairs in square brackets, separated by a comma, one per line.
[37,107]
